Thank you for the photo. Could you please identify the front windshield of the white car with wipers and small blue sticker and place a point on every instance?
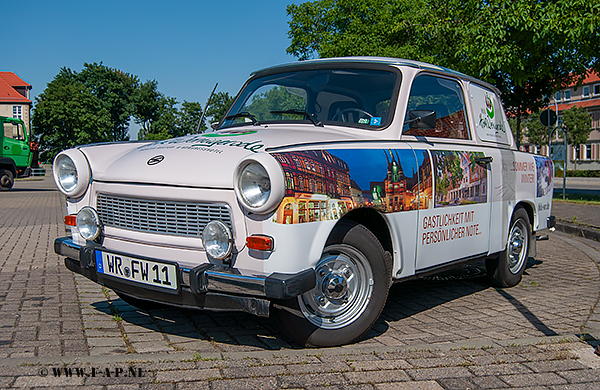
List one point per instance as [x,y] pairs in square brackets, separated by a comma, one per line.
[351,97]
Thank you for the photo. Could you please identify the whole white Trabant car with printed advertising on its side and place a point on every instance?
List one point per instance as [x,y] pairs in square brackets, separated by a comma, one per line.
[327,181]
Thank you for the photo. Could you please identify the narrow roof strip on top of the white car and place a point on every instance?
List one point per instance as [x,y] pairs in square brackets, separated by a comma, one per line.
[371,60]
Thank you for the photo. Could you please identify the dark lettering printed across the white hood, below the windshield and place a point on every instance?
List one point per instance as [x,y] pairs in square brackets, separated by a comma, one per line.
[202,143]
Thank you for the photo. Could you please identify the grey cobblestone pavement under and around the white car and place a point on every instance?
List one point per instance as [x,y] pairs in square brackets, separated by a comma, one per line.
[445,332]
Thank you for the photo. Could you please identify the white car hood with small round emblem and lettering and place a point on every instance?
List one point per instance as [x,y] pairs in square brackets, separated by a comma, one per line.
[203,160]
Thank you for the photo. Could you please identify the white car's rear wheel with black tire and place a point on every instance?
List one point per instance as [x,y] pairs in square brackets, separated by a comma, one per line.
[506,269]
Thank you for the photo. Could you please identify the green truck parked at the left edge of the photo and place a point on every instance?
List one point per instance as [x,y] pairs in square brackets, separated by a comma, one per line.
[16,156]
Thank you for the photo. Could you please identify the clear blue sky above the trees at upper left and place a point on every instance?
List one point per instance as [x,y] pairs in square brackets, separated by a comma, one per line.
[187,46]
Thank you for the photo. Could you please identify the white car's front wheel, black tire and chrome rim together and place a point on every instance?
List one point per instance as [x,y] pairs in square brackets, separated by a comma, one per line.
[352,287]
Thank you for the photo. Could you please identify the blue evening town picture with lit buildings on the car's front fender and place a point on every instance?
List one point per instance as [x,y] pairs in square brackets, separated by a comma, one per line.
[324,185]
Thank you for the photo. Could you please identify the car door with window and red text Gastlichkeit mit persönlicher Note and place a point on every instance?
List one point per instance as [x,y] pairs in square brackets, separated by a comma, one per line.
[458,223]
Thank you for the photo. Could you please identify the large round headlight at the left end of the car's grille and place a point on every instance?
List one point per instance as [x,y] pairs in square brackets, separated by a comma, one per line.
[71,172]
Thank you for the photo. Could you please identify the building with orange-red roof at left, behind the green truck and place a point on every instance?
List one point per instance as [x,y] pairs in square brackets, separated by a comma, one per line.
[14,97]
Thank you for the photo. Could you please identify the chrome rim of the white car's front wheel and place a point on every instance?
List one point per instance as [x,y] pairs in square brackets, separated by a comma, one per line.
[343,291]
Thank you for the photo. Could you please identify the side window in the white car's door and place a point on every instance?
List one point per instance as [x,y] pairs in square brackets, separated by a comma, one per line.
[436,108]
